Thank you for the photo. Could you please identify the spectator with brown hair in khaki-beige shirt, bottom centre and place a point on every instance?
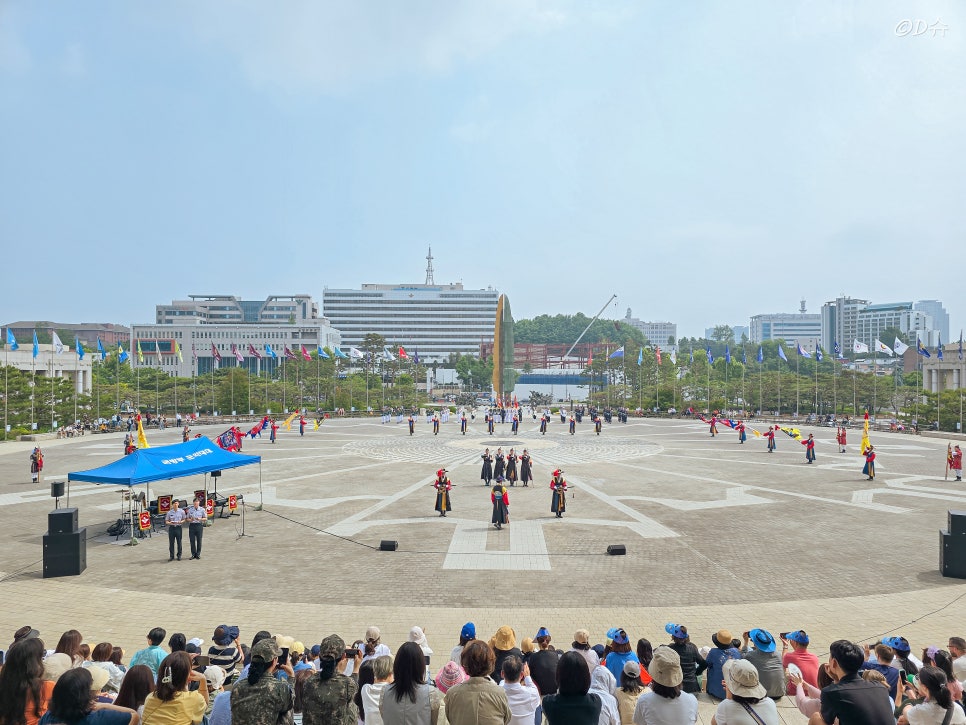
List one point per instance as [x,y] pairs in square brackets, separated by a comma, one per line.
[479,700]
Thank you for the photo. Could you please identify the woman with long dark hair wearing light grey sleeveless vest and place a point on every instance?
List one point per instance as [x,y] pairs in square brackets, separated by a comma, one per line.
[410,700]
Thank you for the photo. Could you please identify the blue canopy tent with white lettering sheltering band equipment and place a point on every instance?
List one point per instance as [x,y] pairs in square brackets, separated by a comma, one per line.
[145,465]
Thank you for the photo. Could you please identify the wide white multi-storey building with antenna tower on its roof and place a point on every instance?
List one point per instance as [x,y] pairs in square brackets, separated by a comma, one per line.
[435,320]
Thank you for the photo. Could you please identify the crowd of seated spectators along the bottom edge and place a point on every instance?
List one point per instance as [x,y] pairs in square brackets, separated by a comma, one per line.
[277,680]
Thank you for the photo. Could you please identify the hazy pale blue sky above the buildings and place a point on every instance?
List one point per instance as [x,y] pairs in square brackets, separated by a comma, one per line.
[704,161]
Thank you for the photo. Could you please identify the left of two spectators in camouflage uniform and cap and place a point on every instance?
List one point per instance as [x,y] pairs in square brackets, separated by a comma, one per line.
[259,698]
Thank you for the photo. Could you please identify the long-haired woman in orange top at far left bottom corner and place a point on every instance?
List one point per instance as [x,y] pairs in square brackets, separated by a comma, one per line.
[24,693]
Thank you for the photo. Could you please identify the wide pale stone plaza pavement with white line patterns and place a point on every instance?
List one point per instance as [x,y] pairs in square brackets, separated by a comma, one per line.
[717,535]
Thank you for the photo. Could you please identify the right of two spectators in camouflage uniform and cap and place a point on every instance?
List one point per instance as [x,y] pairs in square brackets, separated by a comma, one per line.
[328,696]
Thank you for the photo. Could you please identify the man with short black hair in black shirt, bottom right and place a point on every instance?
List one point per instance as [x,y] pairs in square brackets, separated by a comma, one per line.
[850,699]
